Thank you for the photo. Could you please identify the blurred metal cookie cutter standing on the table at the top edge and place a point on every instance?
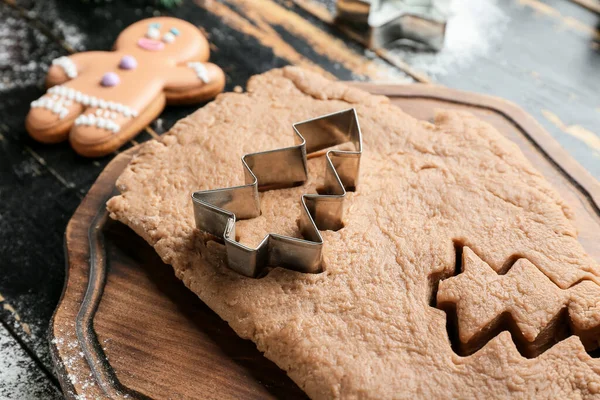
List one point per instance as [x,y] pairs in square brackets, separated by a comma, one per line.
[381,22]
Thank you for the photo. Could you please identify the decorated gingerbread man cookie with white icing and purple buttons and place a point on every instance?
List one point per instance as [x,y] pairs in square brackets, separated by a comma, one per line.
[101,99]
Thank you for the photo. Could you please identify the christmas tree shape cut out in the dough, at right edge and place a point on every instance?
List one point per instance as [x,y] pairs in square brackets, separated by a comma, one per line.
[480,303]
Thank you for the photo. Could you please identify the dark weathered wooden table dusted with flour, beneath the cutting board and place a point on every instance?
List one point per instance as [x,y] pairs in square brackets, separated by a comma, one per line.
[541,54]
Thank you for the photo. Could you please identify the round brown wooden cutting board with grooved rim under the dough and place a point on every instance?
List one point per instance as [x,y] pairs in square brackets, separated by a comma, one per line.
[125,327]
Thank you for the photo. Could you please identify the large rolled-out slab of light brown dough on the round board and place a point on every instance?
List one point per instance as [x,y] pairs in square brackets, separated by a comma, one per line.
[365,328]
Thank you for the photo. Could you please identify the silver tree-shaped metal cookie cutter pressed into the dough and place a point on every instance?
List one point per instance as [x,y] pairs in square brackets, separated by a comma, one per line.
[216,210]
